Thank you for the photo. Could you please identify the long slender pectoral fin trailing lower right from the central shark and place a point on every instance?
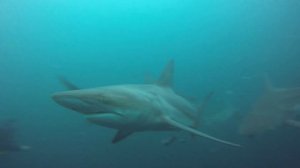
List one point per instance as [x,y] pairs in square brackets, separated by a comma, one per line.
[196,132]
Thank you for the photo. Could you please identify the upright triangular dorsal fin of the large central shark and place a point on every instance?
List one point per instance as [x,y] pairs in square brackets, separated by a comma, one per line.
[166,77]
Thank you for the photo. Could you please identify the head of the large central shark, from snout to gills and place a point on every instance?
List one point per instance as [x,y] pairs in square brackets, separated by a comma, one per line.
[107,106]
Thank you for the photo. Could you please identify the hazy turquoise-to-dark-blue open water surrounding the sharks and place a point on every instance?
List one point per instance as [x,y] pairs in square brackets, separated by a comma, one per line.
[223,46]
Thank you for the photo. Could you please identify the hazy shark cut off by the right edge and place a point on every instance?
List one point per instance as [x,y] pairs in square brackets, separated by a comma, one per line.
[275,108]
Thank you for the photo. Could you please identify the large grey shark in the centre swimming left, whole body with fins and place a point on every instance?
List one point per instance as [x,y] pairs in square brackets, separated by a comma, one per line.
[135,108]
